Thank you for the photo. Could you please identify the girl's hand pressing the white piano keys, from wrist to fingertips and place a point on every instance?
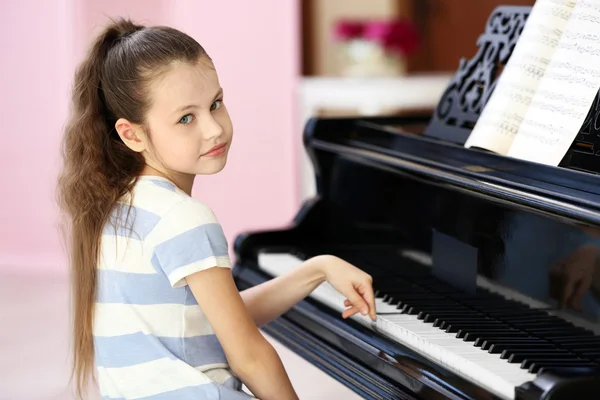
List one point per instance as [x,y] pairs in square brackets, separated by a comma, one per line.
[353,283]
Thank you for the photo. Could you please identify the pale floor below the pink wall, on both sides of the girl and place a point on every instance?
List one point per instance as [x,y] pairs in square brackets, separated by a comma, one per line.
[34,345]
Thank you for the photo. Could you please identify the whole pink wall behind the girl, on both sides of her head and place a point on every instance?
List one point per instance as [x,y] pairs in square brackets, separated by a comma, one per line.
[256,54]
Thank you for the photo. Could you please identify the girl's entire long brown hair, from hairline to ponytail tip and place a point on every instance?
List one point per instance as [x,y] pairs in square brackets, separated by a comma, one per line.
[112,82]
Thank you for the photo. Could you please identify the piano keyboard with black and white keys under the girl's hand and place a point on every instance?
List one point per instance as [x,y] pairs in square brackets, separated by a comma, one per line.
[483,350]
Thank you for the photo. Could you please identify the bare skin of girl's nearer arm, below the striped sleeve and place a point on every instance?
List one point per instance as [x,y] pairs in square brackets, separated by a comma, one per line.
[250,355]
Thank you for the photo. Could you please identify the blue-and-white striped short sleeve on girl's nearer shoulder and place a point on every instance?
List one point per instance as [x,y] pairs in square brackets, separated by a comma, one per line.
[188,239]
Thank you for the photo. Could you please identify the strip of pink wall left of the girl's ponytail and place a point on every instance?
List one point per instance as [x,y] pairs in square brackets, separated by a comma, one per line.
[35,43]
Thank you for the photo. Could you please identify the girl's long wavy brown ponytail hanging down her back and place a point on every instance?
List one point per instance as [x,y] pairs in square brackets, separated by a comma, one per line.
[97,172]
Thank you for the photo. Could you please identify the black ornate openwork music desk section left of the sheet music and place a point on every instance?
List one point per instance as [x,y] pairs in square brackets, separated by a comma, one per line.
[461,104]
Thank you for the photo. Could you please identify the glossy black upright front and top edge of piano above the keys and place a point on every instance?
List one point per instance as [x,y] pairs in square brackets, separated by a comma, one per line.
[534,230]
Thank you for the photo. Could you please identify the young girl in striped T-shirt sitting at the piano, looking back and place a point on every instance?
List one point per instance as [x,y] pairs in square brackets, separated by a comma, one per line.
[156,312]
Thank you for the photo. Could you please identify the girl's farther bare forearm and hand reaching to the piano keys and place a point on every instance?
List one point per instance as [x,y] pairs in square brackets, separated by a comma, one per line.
[269,300]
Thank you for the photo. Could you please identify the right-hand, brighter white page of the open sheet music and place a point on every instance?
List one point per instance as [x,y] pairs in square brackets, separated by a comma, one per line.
[566,92]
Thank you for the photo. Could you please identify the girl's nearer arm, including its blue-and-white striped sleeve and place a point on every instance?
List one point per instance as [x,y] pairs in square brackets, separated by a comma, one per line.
[189,247]
